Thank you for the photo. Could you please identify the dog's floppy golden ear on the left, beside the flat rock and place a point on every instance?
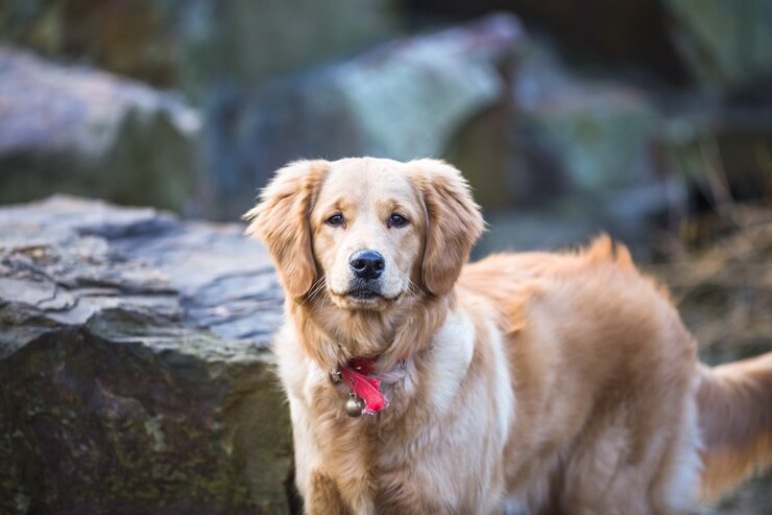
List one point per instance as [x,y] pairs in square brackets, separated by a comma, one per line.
[280,219]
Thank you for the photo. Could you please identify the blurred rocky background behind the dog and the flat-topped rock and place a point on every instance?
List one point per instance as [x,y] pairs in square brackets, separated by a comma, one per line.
[649,119]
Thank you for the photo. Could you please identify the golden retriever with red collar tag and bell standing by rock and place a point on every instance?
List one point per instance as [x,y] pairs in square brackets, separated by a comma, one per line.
[523,383]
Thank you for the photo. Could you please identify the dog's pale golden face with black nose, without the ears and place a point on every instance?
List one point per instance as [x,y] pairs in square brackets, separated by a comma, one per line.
[367,226]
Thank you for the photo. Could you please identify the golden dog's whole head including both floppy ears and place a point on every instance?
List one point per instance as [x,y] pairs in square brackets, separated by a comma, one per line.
[367,232]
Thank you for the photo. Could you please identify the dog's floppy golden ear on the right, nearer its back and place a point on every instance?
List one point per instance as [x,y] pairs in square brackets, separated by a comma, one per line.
[454,223]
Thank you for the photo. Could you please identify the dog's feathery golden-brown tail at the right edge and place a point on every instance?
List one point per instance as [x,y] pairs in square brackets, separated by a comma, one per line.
[735,413]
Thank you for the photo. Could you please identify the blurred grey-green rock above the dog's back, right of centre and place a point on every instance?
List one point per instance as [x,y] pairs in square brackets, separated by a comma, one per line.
[599,132]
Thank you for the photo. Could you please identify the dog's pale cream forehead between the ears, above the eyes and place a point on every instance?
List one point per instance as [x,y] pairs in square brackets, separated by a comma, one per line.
[368,180]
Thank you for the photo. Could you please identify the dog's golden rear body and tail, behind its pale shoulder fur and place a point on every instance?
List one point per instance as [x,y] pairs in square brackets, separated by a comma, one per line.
[631,389]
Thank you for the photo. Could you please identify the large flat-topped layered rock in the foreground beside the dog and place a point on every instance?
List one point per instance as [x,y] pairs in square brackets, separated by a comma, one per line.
[136,371]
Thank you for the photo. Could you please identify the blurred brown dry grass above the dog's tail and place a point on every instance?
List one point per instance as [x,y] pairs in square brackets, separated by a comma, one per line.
[719,269]
